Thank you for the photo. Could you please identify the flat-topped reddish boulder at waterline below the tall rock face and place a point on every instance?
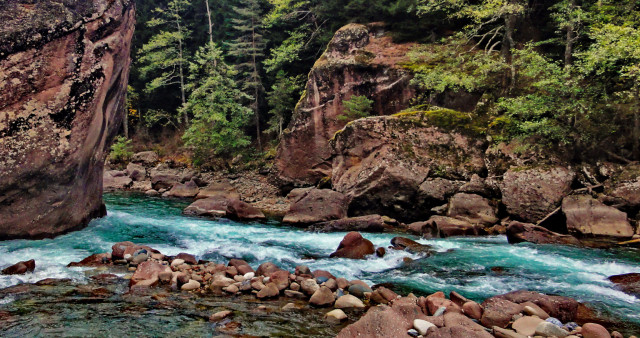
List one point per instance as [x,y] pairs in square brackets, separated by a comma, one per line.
[315,205]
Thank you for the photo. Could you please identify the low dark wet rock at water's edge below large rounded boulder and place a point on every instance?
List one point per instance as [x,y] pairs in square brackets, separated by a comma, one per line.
[524,232]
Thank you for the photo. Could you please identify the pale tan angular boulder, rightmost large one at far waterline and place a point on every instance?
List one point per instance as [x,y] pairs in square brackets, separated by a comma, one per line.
[587,216]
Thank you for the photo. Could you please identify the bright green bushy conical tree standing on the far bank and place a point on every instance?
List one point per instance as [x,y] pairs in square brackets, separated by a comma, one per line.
[219,117]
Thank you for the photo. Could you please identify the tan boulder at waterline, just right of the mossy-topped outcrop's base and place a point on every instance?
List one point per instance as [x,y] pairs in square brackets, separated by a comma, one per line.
[472,208]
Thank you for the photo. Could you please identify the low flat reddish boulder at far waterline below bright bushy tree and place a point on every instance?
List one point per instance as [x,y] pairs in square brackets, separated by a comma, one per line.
[222,206]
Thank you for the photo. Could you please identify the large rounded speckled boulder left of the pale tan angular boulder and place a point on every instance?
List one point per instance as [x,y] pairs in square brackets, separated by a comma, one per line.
[530,194]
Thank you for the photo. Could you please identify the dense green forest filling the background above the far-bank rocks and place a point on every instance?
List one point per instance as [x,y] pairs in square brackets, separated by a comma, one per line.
[222,77]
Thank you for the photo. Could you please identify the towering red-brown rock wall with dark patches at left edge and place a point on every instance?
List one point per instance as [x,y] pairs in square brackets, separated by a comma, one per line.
[64,67]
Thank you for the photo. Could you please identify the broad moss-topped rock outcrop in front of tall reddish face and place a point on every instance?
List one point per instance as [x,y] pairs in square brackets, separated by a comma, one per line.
[381,162]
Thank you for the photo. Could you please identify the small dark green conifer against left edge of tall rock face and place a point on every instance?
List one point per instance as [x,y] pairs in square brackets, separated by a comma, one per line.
[282,98]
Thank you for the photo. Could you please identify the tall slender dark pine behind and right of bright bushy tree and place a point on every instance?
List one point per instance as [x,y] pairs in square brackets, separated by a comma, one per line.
[248,49]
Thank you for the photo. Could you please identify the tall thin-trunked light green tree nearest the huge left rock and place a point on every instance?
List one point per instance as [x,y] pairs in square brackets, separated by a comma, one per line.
[163,58]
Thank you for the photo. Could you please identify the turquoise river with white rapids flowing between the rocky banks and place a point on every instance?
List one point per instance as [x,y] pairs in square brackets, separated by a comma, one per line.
[478,268]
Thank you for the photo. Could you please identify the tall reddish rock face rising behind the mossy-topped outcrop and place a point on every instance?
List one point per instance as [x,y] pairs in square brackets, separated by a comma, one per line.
[355,63]
